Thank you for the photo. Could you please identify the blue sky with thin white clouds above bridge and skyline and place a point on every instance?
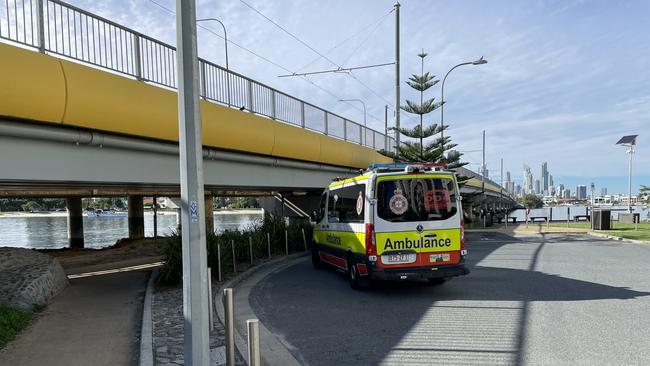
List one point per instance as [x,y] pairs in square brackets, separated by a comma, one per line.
[564,80]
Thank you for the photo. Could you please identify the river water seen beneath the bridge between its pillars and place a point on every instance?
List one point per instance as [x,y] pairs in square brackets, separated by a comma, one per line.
[51,231]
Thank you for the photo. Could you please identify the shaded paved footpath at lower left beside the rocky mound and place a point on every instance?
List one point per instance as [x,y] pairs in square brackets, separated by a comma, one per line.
[95,321]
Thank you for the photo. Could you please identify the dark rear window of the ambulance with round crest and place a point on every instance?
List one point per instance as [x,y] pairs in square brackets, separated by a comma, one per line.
[416,199]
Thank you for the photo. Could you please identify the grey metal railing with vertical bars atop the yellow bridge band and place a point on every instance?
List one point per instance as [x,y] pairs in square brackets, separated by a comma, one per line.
[59,28]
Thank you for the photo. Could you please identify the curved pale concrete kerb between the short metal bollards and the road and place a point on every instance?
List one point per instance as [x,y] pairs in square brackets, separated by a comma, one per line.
[273,350]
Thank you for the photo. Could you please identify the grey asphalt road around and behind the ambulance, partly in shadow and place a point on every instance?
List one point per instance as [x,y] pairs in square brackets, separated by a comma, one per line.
[546,299]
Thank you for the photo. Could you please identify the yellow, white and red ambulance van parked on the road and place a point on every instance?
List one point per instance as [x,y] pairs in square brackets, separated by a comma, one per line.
[393,222]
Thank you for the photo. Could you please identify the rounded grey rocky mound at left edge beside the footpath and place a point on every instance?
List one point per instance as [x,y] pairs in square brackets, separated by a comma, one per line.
[29,278]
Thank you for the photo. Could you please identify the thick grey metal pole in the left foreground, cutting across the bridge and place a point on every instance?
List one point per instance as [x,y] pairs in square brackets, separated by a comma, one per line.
[195,273]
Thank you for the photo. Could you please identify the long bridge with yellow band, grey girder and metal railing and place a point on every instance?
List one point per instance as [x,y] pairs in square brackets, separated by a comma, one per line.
[88,108]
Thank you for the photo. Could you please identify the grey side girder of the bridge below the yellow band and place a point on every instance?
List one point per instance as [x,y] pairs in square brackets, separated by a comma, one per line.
[51,161]
